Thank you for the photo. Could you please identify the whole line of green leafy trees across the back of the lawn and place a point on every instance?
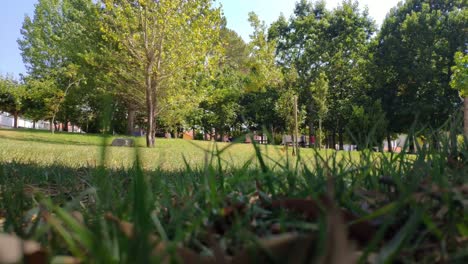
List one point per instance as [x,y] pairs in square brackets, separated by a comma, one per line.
[173,65]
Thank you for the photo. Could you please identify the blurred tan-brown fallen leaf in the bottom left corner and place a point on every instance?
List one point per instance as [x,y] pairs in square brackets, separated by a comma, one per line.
[14,250]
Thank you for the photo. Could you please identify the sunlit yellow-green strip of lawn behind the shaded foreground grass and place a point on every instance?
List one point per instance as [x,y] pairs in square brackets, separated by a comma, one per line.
[83,150]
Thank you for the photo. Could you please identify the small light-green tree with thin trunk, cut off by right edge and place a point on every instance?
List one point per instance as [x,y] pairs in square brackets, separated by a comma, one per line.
[459,82]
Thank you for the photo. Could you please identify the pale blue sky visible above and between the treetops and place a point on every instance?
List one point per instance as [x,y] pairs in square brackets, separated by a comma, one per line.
[12,14]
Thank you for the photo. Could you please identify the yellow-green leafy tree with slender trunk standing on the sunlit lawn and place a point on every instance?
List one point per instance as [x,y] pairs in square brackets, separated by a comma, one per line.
[160,41]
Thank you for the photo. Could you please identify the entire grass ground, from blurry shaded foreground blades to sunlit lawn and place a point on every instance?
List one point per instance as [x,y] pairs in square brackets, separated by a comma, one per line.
[416,204]
